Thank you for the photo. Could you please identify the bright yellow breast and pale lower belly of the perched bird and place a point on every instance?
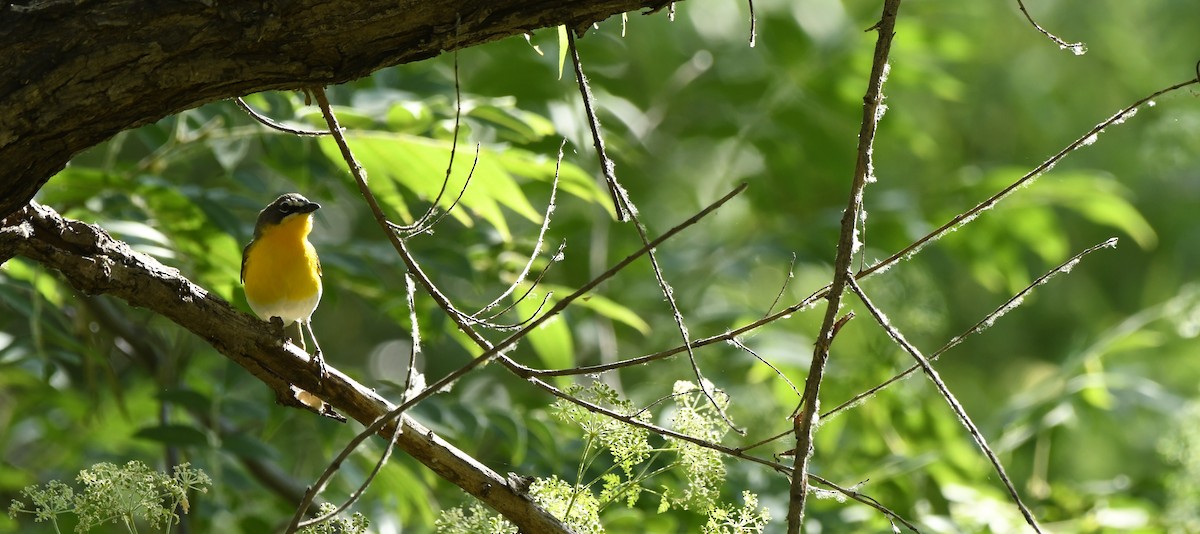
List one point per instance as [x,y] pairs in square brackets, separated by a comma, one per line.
[283,273]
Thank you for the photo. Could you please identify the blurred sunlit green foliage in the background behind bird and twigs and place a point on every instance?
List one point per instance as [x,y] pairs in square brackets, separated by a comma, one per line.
[1087,392]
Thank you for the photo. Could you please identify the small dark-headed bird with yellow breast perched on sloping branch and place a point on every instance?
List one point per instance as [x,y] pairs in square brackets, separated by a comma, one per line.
[281,272]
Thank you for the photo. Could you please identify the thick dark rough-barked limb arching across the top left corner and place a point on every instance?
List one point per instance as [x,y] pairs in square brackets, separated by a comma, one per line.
[77,73]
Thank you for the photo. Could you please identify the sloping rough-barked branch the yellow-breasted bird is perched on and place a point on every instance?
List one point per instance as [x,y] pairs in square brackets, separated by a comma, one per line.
[95,263]
